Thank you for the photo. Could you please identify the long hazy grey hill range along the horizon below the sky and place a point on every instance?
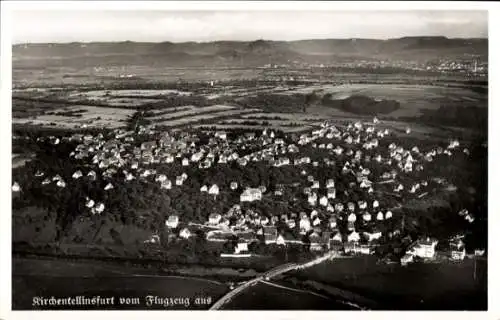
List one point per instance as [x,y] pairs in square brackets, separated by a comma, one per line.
[252,53]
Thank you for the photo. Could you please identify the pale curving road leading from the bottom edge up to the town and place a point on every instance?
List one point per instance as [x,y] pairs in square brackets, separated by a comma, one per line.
[268,276]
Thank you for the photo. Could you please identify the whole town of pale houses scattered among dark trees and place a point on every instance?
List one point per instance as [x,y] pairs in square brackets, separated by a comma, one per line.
[340,188]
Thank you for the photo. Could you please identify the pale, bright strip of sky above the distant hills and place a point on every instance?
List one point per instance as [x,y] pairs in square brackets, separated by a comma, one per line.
[180,26]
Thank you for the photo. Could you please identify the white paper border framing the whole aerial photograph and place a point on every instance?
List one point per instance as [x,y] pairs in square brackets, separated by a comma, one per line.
[5,145]
